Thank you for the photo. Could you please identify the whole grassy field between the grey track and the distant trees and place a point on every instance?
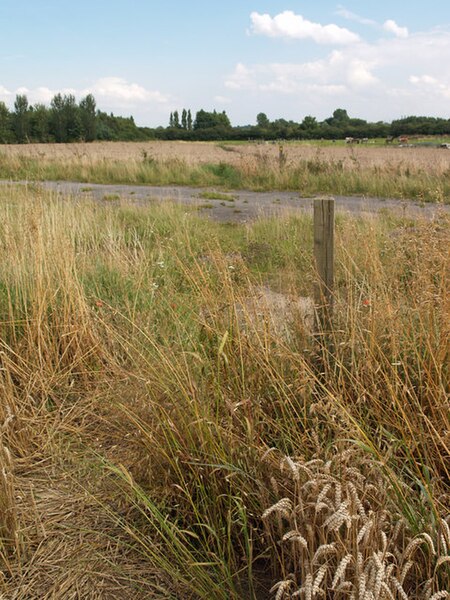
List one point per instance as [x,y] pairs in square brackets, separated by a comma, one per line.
[417,173]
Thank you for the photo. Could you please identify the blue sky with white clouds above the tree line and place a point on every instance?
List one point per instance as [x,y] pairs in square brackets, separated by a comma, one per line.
[380,60]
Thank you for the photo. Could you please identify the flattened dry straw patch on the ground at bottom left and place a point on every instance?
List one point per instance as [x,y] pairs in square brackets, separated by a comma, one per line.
[70,547]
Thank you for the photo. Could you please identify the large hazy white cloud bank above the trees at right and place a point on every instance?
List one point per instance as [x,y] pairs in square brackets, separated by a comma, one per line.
[385,79]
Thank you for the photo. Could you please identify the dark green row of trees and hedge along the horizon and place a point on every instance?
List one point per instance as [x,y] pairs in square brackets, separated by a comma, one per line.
[65,120]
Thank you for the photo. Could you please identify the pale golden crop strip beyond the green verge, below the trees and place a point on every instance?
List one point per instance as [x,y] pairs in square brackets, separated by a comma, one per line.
[427,159]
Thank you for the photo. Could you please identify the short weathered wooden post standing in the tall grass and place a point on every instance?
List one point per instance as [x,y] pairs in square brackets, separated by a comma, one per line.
[324,257]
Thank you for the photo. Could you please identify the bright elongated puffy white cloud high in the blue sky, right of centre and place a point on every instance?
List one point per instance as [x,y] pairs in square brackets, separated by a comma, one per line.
[289,25]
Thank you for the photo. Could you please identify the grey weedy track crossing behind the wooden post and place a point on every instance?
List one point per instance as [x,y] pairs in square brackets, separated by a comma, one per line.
[236,206]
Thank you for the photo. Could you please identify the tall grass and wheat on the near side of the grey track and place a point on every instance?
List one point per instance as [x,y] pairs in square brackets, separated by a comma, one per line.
[170,427]
